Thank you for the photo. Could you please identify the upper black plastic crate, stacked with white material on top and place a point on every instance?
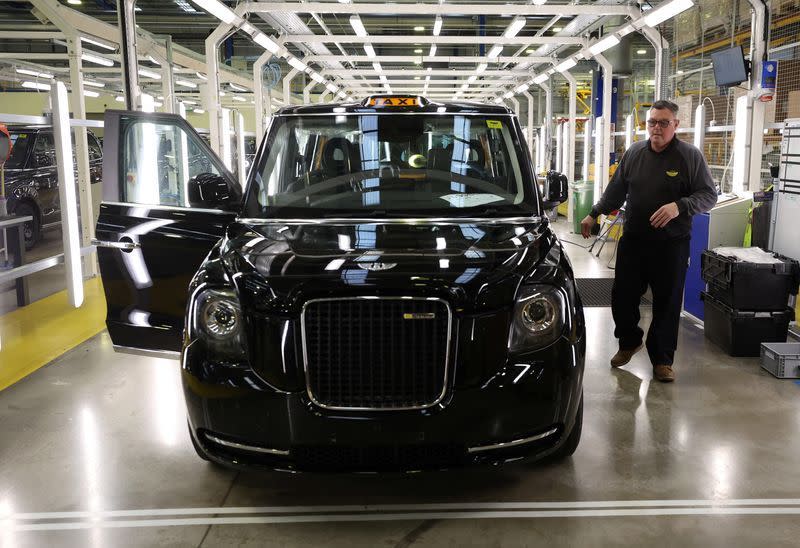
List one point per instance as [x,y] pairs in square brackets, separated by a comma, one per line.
[750,286]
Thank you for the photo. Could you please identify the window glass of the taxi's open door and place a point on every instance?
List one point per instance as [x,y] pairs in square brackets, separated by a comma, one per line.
[158,160]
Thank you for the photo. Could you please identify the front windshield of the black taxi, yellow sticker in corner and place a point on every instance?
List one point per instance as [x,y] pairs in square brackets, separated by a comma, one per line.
[405,164]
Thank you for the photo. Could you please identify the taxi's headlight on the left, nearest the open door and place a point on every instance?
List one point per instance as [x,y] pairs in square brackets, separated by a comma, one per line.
[217,319]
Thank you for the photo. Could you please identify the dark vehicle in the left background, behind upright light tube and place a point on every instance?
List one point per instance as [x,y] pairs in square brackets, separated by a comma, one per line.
[32,178]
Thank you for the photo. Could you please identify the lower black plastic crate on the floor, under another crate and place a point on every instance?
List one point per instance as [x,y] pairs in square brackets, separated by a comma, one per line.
[740,333]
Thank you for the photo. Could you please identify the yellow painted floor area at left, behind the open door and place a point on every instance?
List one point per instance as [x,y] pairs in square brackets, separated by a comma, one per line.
[35,335]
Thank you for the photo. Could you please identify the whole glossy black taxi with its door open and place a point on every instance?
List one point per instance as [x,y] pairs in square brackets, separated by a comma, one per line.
[386,292]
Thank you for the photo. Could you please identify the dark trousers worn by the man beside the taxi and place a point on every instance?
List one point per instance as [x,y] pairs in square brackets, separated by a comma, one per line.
[661,265]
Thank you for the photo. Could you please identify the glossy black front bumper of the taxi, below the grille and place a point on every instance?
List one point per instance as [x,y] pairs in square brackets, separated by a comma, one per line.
[525,410]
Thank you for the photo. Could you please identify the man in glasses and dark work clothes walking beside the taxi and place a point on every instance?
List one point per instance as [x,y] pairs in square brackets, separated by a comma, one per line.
[664,182]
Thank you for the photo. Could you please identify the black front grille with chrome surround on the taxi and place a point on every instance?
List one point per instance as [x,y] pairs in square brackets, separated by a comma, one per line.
[387,353]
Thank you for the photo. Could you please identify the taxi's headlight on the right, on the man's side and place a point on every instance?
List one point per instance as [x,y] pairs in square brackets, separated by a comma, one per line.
[538,318]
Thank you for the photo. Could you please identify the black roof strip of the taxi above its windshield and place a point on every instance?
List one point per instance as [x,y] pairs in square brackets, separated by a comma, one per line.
[424,106]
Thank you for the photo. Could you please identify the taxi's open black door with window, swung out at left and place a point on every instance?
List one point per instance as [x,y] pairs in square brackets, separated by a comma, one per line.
[167,199]
